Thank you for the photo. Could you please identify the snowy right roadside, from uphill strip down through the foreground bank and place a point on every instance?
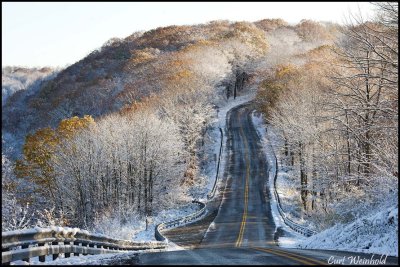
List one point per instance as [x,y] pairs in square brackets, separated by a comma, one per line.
[373,233]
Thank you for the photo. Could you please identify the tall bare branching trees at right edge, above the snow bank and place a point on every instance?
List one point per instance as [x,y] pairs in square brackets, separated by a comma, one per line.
[367,94]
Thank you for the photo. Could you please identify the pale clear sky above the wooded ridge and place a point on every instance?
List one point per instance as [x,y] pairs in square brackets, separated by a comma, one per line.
[57,34]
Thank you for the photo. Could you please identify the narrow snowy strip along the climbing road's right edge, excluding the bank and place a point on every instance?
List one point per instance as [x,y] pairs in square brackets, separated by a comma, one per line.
[290,237]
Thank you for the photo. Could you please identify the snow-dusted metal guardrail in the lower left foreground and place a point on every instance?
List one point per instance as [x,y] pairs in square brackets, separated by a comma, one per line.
[39,242]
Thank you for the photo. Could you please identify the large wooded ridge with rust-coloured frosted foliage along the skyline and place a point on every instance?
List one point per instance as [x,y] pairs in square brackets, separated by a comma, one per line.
[160,61]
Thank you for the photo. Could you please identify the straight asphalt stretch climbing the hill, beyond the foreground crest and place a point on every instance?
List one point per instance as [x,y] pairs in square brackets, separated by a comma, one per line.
[244,218]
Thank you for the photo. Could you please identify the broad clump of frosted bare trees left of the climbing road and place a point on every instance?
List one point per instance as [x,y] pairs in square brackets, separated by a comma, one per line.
[123,164]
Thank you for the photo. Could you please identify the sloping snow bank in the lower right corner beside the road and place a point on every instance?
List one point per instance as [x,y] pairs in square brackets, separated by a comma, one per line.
[377,233]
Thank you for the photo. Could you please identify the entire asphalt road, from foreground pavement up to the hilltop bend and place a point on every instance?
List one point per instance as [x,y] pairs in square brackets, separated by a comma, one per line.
[242,231]
